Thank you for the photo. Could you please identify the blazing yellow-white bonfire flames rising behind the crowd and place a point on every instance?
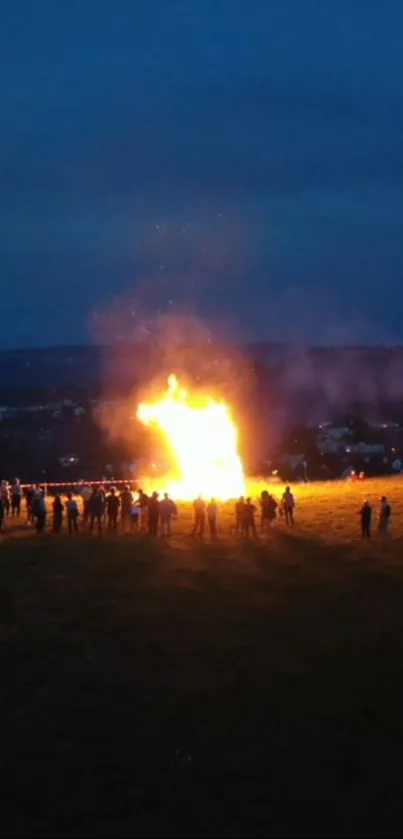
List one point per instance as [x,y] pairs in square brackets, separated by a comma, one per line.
[203,439]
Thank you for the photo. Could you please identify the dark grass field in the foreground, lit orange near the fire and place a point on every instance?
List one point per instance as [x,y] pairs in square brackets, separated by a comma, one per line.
[229,688]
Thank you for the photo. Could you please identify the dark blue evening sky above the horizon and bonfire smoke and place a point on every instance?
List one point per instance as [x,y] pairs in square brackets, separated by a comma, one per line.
[241,160]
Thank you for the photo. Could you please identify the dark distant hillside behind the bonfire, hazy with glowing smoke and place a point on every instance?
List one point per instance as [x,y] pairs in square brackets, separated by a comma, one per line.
[52,400]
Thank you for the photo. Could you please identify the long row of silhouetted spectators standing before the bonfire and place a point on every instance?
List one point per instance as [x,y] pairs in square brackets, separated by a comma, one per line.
[130,511]
